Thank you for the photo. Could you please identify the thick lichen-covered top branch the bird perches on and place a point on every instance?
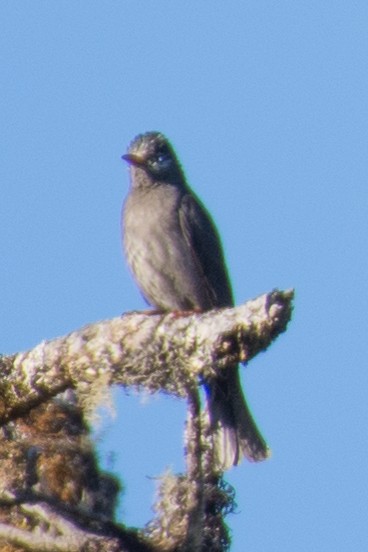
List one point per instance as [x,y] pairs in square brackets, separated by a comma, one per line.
[158,352]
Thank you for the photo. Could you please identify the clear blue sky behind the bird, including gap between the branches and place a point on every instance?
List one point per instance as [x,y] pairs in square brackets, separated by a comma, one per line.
[266,104]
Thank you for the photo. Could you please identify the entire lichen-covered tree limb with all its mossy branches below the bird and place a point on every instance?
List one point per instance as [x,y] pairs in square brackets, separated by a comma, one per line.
[52,494]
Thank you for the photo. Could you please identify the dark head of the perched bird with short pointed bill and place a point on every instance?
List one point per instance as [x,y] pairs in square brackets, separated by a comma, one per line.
[153,153]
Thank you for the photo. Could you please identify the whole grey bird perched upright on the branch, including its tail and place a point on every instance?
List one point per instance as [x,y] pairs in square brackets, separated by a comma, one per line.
[174,251]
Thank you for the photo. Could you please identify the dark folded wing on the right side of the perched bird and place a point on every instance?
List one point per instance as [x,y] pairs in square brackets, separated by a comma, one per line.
[203,240]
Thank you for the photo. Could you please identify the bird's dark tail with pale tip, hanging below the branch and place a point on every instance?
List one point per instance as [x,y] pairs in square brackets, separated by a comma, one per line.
[235,433]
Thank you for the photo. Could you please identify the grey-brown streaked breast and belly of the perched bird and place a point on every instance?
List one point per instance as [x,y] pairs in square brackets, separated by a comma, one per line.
[158,253]
